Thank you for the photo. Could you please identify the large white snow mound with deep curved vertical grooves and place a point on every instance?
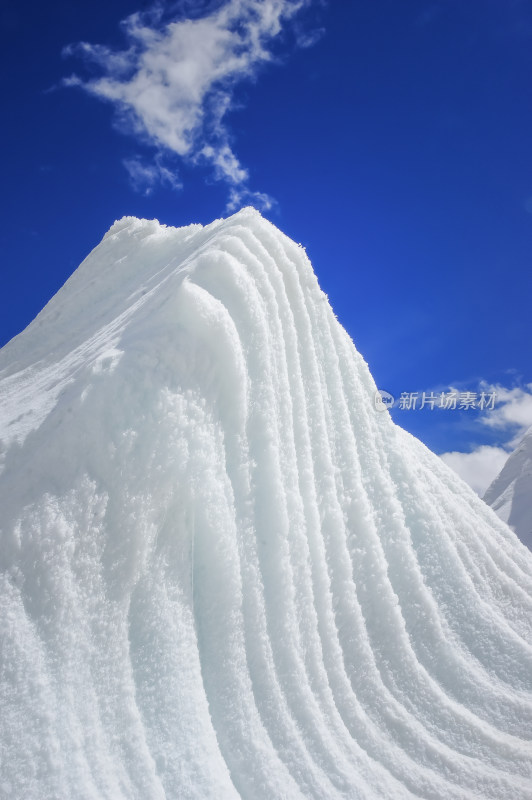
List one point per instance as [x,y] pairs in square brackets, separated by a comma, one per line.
[225,574]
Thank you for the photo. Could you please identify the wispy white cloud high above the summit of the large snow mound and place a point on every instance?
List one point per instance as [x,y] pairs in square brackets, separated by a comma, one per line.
[173,85]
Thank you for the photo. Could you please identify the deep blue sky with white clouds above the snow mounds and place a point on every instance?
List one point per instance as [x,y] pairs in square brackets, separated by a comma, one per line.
[392,139]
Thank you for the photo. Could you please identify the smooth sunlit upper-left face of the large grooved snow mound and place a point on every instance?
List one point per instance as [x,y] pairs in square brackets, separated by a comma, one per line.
[138,264]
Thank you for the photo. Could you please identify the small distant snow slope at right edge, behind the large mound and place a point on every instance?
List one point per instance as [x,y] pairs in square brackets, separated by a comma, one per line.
[510,494]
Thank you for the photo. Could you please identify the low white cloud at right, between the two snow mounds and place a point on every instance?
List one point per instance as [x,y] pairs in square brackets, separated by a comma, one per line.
[511,418]
